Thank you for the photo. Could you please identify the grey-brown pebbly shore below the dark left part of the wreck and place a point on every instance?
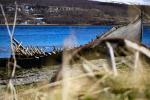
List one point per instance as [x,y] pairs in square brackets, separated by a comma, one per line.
[33,75]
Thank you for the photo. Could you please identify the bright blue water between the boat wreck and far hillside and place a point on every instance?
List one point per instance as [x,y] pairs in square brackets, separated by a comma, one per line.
[46,36]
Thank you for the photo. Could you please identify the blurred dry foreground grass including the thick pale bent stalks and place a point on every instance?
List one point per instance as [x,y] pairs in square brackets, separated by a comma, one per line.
[116,78]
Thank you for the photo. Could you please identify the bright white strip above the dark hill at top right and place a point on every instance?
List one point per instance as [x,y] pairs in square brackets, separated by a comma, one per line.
[129,2]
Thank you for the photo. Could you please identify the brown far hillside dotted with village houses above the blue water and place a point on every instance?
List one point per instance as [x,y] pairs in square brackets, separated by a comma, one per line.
[36,14]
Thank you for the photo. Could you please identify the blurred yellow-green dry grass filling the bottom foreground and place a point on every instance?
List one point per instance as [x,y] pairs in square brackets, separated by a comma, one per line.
[88,81]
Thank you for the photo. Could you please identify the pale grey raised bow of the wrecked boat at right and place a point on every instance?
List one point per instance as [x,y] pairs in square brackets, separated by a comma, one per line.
[132,32]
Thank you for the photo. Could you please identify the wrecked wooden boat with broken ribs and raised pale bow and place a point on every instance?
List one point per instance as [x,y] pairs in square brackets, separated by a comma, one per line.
[35,54]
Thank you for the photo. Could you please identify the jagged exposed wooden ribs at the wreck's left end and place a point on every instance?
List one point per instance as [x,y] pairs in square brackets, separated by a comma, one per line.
[32,51]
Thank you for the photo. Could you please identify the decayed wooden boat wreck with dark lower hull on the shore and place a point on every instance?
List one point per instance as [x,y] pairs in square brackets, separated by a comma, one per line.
[36,57]
